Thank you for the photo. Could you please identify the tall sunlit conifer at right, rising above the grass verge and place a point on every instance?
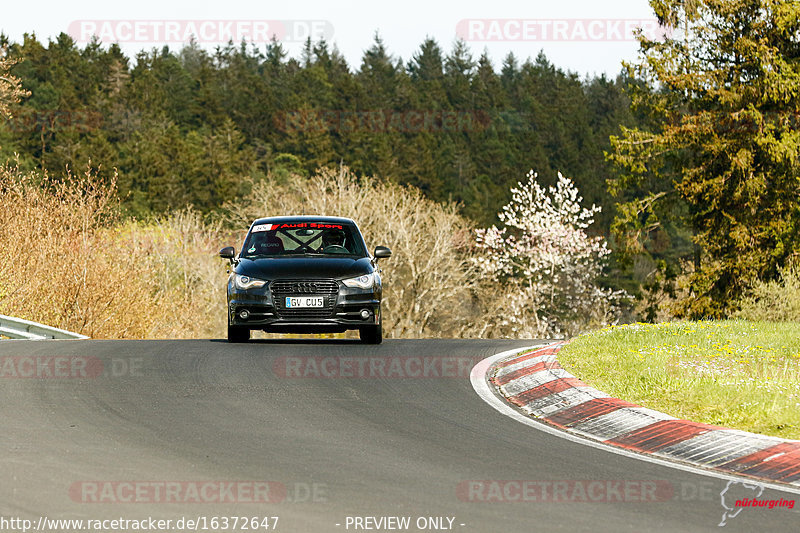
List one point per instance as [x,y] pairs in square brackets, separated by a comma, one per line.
[724,132]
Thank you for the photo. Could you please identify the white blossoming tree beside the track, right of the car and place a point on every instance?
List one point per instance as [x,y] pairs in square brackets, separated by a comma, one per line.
[546,263]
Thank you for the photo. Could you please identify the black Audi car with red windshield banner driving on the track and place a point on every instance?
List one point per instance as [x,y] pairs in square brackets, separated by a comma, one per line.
[304,274]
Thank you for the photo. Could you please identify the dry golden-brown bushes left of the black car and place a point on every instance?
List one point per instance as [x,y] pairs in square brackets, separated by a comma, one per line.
[67,260]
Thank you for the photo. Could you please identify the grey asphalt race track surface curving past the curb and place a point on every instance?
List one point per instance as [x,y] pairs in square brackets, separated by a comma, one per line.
[317,432]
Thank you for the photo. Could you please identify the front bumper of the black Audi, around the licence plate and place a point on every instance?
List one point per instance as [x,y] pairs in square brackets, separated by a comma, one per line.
[264,310]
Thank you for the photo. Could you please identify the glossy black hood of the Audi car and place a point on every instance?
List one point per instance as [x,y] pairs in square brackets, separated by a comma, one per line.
[271,268]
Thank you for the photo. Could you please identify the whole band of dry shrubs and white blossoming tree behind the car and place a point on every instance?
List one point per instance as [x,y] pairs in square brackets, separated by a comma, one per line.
[69,259]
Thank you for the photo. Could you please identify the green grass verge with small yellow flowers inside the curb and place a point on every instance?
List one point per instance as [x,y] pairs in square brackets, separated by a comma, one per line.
[737,374]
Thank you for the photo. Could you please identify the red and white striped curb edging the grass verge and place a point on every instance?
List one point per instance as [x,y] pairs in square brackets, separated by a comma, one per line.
[536,384]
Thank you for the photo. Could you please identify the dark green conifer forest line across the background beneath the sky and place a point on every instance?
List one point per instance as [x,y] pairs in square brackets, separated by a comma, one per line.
[182,127]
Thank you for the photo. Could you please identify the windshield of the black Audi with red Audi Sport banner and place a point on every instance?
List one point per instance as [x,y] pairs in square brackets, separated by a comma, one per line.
[303,238]
